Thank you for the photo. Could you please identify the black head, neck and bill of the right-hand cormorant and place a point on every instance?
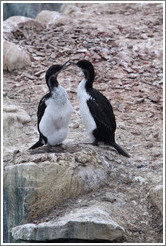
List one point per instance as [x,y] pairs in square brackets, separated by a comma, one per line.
[88,70]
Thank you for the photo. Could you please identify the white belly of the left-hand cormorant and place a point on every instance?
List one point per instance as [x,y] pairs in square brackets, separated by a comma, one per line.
[55,121]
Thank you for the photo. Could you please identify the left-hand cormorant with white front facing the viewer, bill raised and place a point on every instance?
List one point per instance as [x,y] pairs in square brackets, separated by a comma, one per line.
[54,110]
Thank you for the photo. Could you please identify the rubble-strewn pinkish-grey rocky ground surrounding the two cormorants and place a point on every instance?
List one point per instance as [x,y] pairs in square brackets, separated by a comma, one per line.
[124,43]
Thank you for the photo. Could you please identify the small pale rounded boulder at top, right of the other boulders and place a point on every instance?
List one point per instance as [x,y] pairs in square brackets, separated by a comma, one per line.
[47,17]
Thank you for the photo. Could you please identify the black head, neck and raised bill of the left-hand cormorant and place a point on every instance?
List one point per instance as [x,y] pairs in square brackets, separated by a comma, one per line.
[52,73]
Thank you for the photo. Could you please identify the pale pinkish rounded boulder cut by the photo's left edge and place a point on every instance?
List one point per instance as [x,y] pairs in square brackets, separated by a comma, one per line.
[14,57]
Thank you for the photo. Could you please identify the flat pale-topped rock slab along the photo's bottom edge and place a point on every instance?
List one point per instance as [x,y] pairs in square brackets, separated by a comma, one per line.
[90,223]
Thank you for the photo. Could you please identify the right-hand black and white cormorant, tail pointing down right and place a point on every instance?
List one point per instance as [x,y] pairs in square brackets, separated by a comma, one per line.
[95,109]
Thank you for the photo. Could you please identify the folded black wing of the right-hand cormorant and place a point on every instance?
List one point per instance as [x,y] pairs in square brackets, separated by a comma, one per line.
[102,109]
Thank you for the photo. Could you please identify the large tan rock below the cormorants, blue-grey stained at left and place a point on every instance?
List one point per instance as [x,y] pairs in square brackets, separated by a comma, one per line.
[34,184]
